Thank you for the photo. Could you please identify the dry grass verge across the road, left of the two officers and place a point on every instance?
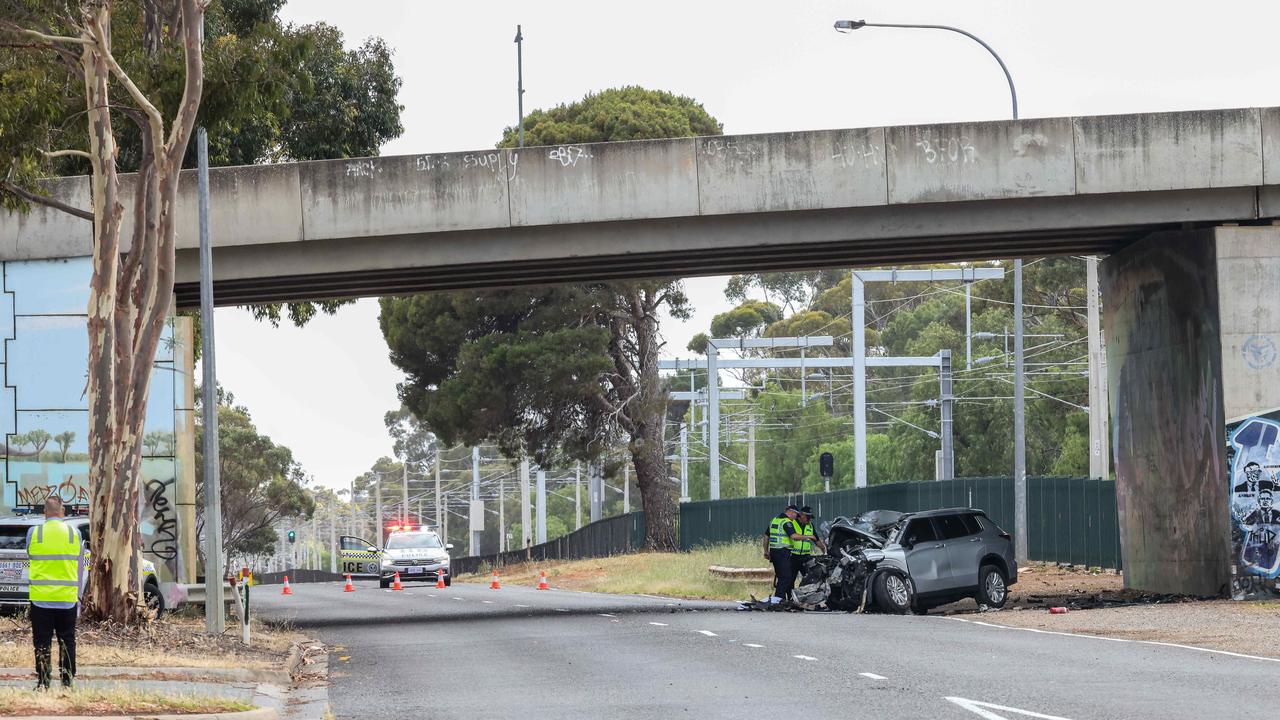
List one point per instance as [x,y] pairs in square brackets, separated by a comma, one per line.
[670,575]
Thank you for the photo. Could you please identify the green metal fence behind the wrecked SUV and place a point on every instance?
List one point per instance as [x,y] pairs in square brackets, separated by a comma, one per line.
[1069,520]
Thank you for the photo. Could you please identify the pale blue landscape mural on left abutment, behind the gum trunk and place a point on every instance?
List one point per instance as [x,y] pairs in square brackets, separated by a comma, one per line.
[44,407]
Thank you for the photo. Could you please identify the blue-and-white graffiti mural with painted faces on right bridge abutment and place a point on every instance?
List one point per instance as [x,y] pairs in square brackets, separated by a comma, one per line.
[1254,457]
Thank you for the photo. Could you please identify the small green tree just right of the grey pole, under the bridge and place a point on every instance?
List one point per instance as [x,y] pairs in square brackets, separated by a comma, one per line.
[260,484]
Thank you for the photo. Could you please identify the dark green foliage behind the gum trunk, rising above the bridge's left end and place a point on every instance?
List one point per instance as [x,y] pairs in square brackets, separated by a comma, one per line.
[272,92]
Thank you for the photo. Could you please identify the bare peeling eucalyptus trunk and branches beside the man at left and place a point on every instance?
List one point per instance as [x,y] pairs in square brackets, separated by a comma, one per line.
[130,297]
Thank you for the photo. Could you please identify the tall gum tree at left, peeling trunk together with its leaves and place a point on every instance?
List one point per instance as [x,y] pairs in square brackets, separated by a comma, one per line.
[54,51]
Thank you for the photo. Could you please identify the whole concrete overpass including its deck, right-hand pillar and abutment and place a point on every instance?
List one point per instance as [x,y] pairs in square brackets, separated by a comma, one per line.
[1192,306]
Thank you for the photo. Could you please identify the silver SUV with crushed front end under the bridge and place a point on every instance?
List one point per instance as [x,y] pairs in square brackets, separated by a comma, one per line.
[899,562]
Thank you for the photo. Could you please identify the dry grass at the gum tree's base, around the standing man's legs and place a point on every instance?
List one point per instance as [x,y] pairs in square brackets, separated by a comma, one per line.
[170,642]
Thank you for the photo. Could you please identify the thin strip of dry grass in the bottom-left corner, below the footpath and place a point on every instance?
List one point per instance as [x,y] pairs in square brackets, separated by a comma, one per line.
[19,703]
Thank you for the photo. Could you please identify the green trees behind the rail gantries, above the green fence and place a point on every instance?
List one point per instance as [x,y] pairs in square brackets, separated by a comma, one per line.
[920,320]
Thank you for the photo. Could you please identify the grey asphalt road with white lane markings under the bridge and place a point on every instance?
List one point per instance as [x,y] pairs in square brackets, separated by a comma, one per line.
[473,653]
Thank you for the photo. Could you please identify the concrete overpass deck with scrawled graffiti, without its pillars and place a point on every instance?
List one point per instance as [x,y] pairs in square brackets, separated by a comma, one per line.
[866,197]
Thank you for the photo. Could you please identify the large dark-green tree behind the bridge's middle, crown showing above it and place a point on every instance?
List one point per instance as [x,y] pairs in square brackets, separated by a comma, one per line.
[559,372]
